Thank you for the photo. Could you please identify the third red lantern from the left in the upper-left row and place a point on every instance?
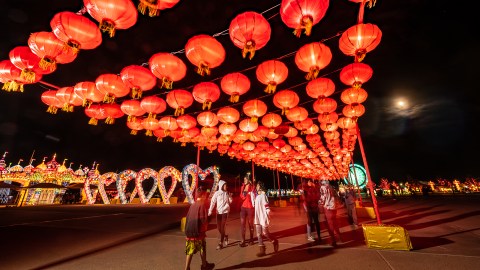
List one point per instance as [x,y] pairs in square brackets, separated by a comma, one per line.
[46,46]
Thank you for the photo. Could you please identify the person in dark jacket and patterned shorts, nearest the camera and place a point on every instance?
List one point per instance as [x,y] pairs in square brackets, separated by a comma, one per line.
[195,227]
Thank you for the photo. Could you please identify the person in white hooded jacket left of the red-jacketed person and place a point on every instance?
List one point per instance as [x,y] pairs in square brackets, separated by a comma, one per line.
[222,200]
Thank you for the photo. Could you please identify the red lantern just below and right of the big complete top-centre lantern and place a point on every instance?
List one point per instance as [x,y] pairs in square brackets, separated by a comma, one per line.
[272,73]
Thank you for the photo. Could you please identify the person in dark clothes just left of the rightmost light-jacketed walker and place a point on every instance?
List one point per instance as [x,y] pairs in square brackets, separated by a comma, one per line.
[311,197]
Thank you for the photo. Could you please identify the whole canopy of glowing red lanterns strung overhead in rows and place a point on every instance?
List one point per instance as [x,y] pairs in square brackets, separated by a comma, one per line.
[288,137]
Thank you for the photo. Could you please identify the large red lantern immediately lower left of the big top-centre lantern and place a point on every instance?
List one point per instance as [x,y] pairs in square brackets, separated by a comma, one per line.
[205,52]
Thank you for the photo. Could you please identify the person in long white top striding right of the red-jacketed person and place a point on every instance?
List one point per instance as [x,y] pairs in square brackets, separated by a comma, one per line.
[262,219]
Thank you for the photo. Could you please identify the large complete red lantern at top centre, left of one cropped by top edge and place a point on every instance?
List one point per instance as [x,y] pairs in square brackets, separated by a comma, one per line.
[249,31]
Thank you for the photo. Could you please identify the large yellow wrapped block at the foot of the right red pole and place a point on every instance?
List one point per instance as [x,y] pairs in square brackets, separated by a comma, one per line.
[386,237]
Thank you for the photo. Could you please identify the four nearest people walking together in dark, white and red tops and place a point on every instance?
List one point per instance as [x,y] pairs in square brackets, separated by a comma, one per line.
[254,213]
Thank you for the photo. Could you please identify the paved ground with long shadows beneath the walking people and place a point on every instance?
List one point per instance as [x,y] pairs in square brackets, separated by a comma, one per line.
[445,232]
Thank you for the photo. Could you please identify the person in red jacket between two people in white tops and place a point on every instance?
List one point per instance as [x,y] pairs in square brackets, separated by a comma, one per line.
[247,210]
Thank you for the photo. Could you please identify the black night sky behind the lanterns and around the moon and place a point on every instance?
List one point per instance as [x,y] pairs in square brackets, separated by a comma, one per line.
[428,56]
